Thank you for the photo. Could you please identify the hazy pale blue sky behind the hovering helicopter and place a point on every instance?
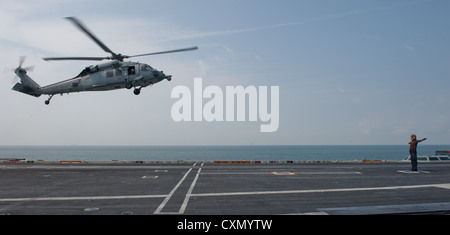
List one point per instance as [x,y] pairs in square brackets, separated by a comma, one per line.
[349,72]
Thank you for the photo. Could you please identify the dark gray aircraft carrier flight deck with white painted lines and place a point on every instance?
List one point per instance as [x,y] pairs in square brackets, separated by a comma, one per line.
[199,188]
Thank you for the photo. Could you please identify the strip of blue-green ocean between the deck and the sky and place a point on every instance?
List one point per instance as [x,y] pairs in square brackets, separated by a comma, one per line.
[215,153]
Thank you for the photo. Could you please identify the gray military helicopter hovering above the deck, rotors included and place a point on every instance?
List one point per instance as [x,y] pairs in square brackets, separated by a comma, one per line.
[115,74]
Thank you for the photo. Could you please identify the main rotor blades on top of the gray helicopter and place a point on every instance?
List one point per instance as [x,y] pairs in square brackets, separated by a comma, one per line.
[114,56]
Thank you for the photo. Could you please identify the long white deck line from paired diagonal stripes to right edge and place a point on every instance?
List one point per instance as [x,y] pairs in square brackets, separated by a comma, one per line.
[445,186]
